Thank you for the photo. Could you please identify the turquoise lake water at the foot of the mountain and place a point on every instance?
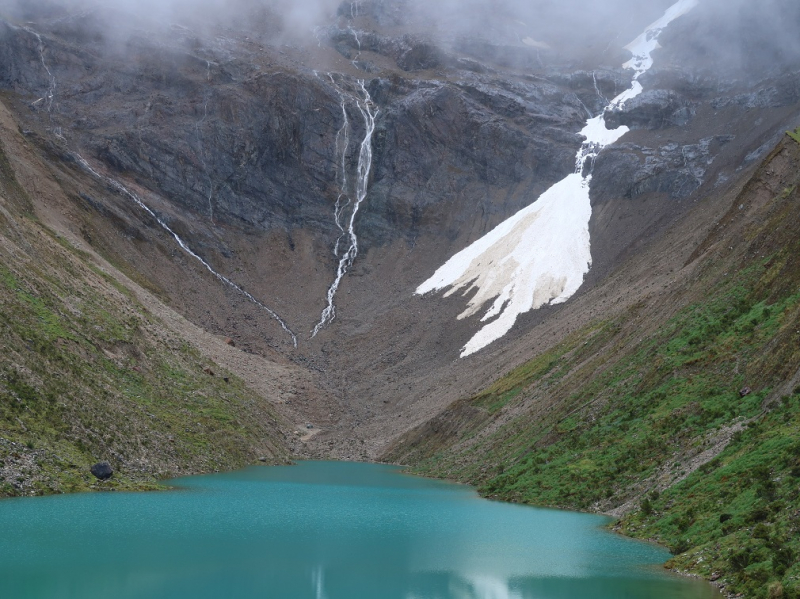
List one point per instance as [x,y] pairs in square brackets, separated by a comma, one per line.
[319,530]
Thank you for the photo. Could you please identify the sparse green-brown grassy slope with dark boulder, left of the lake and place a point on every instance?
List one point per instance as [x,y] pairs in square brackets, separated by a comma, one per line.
[87,373]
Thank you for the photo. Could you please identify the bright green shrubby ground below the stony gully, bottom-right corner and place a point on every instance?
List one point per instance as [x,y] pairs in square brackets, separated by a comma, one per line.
[738,514]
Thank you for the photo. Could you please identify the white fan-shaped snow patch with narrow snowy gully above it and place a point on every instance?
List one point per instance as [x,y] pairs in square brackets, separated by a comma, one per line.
[540,255]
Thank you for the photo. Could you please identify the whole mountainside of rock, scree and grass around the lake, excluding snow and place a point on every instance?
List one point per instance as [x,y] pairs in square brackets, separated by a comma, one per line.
[173,181]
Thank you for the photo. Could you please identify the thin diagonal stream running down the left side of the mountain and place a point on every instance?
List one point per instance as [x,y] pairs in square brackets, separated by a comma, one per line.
[125,191]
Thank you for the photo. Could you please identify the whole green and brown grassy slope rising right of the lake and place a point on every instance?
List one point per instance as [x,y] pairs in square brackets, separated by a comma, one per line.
[686,419]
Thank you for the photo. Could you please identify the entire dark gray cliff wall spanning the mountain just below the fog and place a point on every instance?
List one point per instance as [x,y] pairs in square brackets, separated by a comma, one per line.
[231,129]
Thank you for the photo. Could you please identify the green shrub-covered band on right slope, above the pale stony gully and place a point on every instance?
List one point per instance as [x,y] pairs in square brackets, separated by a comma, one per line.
[678,390]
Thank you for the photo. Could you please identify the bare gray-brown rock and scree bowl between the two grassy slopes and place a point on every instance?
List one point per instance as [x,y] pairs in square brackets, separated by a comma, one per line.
[234,136]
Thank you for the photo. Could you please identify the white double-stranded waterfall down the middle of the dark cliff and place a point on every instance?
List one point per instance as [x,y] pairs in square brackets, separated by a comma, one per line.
[369,113]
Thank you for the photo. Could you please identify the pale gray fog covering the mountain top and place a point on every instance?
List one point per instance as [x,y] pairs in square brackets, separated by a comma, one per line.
[725,34]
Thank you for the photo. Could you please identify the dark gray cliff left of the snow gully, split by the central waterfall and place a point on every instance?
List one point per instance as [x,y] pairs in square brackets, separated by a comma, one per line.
[235,143]
